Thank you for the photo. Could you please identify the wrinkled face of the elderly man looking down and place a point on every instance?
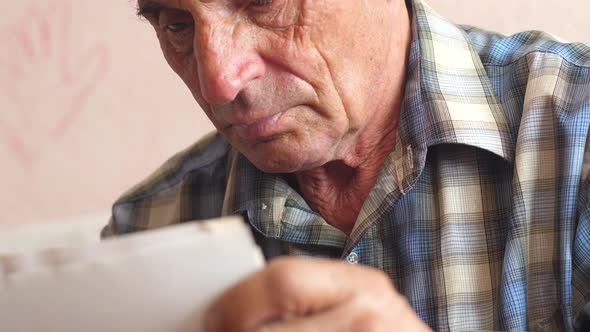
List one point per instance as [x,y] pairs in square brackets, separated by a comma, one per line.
[288,82]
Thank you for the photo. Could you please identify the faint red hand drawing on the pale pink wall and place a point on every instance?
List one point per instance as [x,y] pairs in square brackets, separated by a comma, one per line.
[45,78]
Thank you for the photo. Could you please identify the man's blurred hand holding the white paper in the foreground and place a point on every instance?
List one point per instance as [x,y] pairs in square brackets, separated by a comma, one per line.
[301,295]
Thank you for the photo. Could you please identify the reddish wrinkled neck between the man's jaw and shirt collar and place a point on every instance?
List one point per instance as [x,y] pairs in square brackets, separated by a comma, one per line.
[338,189]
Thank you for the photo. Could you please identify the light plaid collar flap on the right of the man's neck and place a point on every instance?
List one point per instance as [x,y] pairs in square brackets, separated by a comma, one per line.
[448,95]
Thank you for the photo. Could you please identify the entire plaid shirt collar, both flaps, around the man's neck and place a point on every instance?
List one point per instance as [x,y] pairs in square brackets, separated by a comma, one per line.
[448,98]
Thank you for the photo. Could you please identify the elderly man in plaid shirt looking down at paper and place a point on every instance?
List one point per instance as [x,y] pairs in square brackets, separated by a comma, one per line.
[450,163]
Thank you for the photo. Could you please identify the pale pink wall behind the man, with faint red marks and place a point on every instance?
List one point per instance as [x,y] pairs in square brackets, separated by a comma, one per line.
[88,106]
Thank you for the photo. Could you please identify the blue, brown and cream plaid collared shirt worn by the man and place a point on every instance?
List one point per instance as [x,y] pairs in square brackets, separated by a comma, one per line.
[481,213]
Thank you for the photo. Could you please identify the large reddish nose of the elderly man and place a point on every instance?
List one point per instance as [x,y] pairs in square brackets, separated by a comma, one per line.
[226,61]
